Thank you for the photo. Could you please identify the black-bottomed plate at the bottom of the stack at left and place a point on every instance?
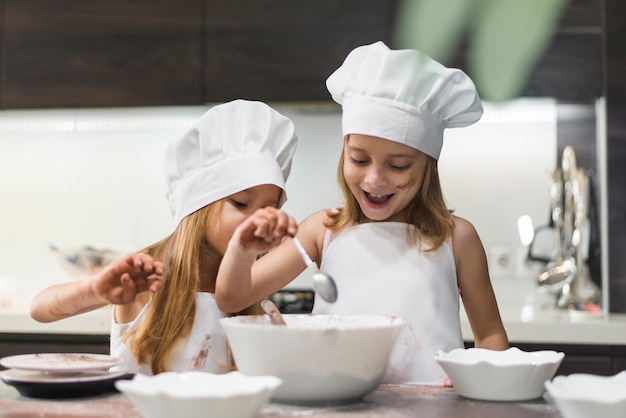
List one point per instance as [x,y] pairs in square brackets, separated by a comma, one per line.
[41,385]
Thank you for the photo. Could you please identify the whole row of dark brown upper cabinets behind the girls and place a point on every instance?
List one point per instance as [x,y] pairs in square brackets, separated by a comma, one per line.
[91,53]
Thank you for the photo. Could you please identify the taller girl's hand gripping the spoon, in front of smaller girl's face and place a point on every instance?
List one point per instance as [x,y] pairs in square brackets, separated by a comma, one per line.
[264,230]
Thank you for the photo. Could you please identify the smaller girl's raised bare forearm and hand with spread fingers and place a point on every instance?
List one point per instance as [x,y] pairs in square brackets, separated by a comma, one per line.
[118,283]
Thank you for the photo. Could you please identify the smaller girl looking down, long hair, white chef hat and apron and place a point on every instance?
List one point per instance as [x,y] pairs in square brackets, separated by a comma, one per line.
[233,161]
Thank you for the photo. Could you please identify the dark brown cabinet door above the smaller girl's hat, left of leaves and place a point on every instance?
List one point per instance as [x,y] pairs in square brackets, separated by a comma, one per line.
[284,50]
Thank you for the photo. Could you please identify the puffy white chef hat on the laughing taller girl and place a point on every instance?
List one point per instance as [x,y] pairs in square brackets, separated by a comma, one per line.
[403,96]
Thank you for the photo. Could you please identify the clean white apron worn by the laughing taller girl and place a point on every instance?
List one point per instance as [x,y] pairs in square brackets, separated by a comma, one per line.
[378,272]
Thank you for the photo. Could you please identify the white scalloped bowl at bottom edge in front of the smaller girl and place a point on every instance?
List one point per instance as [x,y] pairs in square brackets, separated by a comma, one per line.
[199,394]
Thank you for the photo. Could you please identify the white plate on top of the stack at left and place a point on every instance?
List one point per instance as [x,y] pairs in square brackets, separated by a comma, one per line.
[60,363]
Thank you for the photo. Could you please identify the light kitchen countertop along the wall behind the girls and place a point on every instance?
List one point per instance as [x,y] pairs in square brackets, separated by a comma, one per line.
[525,323]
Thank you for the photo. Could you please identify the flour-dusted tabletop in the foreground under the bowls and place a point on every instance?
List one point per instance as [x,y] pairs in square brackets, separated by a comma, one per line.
[389,401]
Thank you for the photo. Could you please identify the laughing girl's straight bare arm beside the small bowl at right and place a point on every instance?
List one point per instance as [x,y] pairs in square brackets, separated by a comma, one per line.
[476,292]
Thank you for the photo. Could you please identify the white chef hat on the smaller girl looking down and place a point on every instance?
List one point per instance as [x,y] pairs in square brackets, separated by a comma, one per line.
[232,147]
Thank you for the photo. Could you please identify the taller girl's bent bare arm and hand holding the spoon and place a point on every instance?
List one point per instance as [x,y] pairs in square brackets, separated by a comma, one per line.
[242,279]
